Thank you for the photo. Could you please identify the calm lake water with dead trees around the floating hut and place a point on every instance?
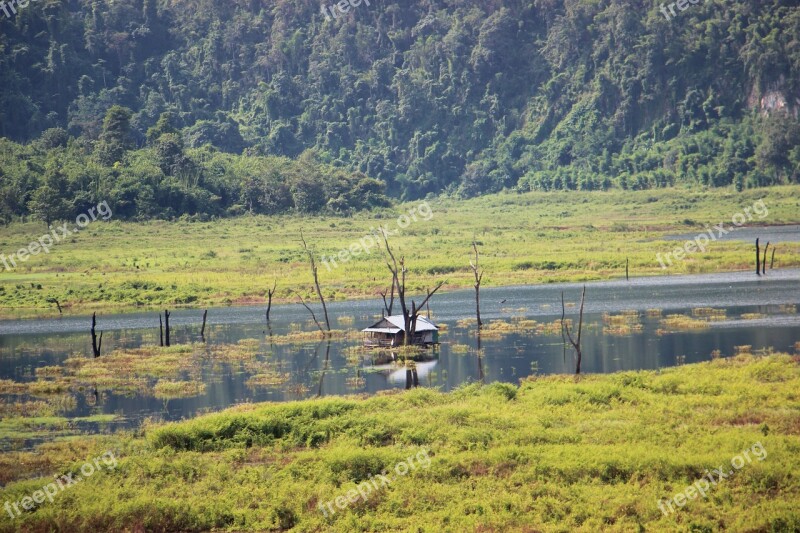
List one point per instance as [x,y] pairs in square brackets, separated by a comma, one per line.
[627,326]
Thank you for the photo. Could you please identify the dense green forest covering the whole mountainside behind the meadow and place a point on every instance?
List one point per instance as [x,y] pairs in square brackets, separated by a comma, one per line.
[194,107]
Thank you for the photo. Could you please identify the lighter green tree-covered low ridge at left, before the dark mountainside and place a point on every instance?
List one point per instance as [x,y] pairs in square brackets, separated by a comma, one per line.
[58,177]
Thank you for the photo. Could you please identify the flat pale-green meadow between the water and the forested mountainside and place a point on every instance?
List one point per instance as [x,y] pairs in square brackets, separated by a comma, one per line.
[524,238]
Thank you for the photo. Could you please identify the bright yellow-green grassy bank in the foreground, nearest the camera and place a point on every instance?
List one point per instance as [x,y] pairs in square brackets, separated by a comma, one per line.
[557,453]
